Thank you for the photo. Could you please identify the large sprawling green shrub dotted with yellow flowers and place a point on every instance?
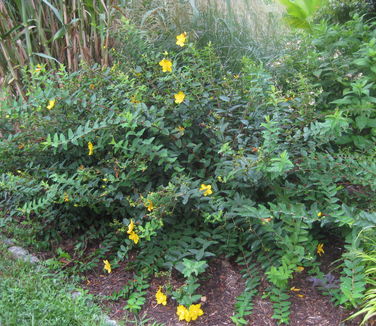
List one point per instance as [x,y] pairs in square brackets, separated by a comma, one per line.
[173,154]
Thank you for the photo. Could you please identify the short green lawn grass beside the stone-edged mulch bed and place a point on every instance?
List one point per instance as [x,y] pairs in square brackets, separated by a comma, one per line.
[31,295]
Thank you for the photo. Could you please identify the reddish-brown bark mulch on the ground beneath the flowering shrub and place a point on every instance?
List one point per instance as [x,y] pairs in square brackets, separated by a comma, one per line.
[221,284]
